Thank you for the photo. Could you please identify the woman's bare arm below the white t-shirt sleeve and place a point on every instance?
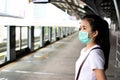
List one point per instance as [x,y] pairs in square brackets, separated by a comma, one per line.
[100,74]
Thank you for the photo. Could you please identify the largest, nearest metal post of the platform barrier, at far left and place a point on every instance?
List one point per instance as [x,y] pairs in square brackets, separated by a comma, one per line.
[11,54]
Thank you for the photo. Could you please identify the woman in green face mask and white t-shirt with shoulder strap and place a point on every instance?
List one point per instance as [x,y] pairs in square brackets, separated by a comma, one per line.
[93,60]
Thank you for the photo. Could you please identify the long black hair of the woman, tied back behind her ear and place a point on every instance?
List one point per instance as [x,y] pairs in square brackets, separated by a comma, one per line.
[102,39]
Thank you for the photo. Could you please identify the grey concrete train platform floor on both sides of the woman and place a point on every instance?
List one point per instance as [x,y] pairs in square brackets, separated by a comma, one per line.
[55,62]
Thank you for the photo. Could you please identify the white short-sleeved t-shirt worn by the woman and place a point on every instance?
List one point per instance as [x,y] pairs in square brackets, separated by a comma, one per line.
[95,60]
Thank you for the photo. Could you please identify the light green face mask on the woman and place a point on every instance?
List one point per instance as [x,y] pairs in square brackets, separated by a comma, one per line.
[83,37]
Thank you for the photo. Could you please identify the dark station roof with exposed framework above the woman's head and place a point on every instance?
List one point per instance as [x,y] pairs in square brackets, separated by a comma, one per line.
[79,8]
